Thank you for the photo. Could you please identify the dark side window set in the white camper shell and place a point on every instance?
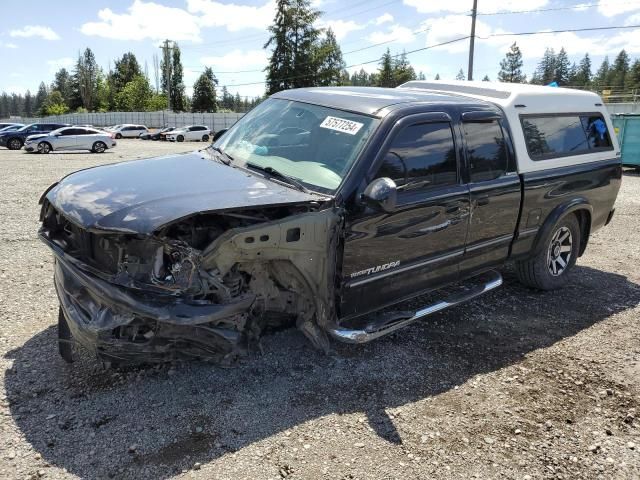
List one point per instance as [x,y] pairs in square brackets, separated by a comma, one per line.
[549,136]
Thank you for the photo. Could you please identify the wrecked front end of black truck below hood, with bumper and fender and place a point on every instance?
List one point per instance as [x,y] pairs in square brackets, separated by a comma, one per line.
[207,286]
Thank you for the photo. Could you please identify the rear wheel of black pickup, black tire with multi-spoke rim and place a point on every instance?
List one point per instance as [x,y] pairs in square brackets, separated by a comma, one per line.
[551,267]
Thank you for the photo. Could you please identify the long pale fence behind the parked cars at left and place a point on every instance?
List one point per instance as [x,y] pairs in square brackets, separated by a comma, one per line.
[216,121]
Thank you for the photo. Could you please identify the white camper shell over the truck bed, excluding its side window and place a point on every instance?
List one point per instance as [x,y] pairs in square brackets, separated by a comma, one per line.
[519,101]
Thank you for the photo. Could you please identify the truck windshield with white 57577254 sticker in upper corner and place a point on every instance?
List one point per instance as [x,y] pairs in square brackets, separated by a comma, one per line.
[309,143]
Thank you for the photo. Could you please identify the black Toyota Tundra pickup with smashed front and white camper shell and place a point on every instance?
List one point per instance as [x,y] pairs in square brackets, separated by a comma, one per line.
[323,208]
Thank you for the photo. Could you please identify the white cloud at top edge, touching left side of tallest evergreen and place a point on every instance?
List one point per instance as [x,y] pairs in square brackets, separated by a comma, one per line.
[233,17]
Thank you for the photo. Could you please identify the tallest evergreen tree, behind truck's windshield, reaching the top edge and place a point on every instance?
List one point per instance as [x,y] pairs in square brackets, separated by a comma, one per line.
[293,40]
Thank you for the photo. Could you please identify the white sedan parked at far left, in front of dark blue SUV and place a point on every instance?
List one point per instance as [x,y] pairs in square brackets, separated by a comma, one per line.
[70,138]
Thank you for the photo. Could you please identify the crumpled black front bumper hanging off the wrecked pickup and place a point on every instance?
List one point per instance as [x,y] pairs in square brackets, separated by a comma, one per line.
[120,327]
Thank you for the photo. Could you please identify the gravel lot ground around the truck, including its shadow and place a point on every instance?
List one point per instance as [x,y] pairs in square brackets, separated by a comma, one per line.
[518,384]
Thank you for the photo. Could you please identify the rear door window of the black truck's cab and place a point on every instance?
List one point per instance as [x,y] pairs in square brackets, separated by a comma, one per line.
[486,150]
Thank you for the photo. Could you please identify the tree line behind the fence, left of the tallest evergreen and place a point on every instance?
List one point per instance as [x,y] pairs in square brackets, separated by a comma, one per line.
[126,88]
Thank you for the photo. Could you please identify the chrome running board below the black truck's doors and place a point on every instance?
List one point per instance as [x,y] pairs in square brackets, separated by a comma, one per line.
[384,326]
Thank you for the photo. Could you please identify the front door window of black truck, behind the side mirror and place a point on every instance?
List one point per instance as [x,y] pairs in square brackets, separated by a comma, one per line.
[421,155]
